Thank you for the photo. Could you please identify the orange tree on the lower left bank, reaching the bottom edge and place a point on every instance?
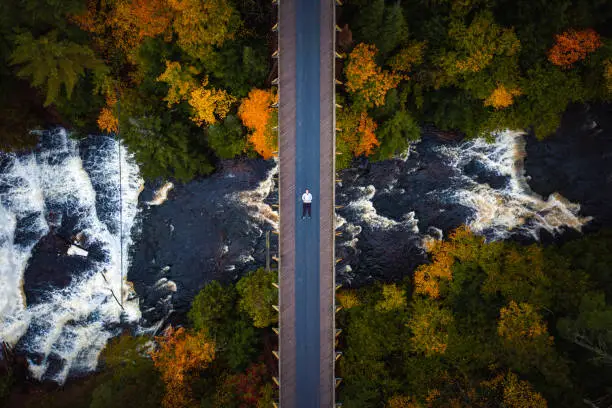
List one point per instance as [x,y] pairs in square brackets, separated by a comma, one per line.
[180,354]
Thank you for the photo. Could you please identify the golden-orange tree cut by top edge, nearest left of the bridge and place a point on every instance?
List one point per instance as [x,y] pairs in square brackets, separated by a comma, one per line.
[201,25]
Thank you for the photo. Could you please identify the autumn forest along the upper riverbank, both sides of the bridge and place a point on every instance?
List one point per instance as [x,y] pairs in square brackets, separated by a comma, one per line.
[186,83]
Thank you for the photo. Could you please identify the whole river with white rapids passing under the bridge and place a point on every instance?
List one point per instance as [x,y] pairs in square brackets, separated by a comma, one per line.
[60,304]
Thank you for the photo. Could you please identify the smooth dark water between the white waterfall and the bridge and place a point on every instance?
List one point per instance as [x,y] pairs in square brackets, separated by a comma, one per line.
[203,232]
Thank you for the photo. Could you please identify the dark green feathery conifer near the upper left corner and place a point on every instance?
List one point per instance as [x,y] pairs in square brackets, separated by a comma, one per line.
[50,63]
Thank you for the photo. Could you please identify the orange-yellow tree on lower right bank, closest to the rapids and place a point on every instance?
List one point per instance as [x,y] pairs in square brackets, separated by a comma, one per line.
[460,245]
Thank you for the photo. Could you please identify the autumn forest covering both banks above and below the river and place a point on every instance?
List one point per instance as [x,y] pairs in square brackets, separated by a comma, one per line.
[186,84]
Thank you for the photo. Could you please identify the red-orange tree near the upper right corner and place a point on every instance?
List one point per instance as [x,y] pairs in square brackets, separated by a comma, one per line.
[572,46]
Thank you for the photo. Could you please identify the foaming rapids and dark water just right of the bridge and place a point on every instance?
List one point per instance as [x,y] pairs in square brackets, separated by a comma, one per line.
[391,207]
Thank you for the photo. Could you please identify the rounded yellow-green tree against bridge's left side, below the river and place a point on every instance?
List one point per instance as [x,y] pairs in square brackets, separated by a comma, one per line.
[257,295]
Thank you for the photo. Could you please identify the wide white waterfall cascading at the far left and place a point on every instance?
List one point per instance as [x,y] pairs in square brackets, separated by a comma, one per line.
[74,194]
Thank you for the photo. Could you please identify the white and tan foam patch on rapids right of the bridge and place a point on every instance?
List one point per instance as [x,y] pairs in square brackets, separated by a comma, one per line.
[515,208]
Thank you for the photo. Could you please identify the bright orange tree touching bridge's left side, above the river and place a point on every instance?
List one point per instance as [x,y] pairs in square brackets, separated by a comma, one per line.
[256,113]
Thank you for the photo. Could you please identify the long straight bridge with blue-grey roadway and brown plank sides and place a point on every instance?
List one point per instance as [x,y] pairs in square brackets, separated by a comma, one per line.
[306,87]
